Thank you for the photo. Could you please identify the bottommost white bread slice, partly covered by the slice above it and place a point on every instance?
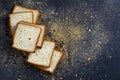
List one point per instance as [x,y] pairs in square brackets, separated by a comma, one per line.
[54,62]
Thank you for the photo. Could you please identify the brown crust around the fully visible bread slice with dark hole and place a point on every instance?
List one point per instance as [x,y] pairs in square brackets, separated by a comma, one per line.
[35,43]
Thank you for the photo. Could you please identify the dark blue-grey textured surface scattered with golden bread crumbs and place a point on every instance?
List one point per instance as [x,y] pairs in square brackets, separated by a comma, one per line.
[86,31]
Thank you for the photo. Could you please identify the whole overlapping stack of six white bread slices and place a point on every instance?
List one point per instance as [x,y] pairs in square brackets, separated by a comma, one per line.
[28,36]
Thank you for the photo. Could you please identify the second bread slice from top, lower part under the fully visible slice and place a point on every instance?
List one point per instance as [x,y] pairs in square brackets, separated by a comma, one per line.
[17,17]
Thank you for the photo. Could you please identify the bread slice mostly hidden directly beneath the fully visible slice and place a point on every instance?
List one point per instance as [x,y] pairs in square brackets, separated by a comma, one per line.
[42,34]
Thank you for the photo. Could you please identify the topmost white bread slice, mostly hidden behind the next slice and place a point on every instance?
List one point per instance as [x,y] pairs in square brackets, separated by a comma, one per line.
[18,8]
